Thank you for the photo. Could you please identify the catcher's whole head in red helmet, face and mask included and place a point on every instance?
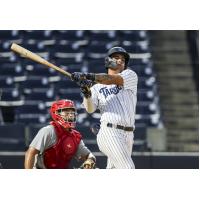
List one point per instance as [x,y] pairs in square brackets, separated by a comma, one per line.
[64,112]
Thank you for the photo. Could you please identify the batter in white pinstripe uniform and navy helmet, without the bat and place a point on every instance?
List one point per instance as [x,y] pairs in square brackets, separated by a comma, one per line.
[115,95]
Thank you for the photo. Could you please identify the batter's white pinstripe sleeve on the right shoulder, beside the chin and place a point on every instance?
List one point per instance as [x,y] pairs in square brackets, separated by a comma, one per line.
[130,80]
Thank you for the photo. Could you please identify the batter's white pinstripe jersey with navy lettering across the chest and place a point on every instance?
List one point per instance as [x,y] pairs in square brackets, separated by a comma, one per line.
[117,104]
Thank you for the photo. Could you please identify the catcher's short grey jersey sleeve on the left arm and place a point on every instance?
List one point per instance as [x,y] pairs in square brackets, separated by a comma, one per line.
[43,139]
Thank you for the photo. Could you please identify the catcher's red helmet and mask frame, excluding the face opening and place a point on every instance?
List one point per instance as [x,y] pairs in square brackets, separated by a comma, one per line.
[59,106]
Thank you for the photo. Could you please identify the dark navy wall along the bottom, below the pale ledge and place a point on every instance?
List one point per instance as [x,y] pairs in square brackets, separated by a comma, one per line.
[141,162]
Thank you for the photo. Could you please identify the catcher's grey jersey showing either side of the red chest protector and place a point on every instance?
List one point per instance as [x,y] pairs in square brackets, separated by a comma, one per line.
[45,138]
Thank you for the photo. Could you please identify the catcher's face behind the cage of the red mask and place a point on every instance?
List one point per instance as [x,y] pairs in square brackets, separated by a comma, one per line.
[68,114]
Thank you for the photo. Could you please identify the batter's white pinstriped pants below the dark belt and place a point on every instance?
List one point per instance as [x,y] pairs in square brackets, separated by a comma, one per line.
[117,145]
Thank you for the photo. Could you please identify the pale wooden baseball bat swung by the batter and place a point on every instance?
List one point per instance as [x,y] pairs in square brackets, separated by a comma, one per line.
[28,54]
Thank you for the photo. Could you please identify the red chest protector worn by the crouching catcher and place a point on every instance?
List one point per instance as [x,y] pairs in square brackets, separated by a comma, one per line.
[59,155]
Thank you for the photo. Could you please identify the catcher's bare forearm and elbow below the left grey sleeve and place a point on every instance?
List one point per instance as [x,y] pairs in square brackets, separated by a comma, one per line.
[30,157]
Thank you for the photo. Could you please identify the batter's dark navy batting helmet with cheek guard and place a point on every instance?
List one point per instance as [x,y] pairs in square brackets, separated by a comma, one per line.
[118,50]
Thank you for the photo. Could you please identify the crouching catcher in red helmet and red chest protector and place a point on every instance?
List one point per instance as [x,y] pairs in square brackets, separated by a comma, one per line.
[55,145]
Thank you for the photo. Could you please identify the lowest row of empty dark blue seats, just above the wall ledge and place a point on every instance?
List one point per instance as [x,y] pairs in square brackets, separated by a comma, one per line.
[21,137]
